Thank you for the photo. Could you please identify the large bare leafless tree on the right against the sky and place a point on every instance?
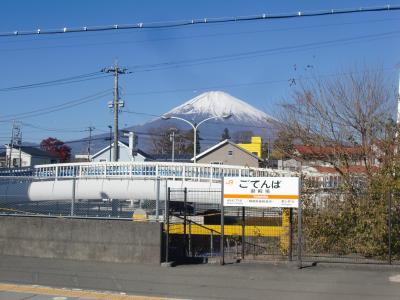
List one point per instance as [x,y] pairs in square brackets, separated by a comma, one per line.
[346,116]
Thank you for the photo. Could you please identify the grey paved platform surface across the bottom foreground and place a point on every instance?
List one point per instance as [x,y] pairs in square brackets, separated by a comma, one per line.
[235,281]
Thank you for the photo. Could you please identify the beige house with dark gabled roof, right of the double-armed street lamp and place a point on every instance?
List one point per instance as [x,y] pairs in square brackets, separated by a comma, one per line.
[229,153]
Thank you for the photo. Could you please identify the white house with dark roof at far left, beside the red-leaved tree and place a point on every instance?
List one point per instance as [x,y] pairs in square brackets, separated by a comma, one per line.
[25,156]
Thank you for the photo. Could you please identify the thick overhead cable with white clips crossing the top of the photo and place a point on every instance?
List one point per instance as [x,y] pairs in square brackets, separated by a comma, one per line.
[204,21]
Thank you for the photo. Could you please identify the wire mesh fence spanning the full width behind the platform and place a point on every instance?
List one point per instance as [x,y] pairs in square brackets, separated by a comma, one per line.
[336,226]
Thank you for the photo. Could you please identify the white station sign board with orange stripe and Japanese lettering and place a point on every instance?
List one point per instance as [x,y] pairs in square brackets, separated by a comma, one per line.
[261,191]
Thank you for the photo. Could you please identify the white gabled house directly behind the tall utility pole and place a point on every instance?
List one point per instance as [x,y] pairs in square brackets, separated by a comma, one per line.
[125,153]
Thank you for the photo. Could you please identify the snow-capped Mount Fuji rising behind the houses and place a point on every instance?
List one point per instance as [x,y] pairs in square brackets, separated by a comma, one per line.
[244,118]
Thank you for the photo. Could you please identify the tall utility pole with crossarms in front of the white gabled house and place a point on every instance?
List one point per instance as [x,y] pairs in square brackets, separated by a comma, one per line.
[116,103]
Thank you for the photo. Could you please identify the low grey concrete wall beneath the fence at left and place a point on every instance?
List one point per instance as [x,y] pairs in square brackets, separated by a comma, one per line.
[81,239]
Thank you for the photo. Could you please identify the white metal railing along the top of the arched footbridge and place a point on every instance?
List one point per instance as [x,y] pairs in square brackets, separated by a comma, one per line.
[179,171]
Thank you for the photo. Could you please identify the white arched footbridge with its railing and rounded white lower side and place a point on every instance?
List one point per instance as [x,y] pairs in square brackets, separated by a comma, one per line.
[121,180]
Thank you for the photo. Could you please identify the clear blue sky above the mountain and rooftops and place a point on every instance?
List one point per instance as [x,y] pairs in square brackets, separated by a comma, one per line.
[262,81]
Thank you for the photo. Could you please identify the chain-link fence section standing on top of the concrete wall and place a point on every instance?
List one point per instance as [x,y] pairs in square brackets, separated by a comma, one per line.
[14,201]
